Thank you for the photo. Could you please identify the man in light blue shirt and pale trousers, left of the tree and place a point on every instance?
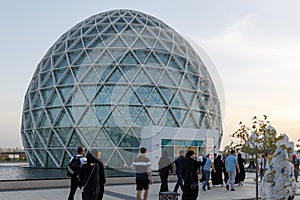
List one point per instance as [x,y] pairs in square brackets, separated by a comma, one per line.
[231,165]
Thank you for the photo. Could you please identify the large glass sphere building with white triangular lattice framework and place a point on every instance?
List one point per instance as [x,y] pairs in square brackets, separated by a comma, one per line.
[105,79]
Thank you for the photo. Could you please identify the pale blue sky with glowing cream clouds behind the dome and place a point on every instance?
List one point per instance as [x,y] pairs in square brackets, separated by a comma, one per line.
[254,44]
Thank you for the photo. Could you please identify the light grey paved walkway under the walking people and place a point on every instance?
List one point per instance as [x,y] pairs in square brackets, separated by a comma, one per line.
[127,192]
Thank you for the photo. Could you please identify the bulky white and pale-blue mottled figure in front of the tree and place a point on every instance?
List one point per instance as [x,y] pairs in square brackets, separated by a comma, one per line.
[278,181]
